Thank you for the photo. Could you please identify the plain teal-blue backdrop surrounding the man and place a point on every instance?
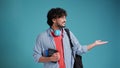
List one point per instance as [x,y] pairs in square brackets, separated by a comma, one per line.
[22,20]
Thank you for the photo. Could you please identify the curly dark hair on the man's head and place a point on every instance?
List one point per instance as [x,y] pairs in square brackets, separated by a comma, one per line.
[55,13]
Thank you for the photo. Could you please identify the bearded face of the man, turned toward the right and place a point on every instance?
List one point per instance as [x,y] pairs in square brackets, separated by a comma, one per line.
[60,22]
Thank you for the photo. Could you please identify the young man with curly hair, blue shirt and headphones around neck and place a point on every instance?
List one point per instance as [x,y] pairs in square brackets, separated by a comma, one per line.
[56,38]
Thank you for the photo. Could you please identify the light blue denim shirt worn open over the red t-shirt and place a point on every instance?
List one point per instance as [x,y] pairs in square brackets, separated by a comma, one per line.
[45,41]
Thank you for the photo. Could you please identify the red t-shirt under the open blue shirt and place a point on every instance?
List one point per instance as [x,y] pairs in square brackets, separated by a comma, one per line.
[59,47]
